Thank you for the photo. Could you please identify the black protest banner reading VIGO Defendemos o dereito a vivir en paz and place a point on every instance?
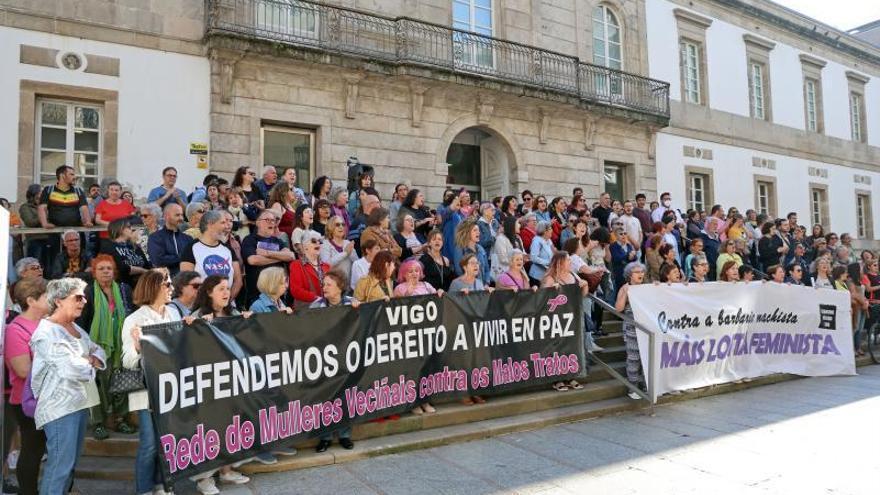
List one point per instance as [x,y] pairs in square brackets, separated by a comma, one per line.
[222,391]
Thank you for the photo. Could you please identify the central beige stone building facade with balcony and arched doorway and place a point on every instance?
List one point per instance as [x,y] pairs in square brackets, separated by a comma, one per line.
[382,82]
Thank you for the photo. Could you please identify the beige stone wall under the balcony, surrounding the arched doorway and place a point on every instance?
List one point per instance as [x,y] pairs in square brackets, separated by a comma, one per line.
[266,89]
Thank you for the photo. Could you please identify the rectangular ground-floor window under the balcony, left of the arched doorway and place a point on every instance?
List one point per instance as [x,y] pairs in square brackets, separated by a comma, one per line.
[289,147]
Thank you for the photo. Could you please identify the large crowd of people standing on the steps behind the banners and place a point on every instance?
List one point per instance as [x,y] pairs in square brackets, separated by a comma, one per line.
[253,246]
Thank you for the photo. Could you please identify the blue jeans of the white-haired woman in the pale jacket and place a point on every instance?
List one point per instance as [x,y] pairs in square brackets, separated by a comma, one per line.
[64,440]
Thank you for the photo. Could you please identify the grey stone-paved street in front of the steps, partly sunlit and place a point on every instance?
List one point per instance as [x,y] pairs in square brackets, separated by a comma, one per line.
[799,437]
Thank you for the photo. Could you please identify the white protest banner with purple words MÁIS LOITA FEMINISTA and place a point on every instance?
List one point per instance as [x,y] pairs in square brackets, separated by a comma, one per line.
[722,332]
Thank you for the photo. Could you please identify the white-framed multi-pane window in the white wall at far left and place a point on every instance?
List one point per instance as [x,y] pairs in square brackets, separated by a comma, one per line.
[68,134]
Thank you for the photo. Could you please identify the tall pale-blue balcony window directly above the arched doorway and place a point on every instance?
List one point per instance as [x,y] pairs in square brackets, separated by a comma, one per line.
[473,16]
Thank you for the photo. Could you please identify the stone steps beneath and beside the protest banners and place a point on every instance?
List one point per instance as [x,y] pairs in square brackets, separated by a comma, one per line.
[113,459]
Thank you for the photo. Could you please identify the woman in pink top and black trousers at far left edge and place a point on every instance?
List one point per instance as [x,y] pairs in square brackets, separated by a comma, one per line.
[30,295]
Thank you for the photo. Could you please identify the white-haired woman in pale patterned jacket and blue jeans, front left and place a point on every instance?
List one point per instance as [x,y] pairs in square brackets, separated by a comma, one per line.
[63,381]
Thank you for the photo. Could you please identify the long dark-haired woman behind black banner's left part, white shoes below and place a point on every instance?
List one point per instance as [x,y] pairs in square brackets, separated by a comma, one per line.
[214,301]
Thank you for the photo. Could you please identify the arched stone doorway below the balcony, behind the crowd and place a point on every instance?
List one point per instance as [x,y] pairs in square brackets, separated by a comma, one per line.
[481,162]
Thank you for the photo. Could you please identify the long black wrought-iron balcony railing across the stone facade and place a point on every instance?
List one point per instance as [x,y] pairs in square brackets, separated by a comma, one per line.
[413,42]
